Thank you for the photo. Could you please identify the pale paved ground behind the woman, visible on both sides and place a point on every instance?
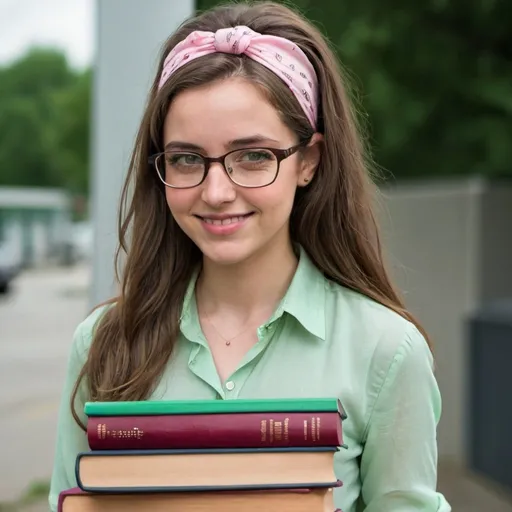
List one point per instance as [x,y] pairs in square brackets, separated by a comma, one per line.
[36,326]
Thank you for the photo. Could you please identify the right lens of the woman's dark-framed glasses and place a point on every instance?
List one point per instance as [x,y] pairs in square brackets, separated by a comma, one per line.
[252,167]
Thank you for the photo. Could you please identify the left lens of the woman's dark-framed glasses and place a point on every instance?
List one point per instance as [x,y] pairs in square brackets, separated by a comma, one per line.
[181,170]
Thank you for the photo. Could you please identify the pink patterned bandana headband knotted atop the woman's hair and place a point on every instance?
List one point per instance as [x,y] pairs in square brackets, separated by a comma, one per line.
[279,55]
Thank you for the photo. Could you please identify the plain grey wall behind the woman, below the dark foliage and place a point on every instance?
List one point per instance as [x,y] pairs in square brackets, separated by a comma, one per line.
[450,246]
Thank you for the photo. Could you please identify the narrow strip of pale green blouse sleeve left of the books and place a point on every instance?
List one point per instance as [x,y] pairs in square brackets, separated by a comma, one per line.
[70,439]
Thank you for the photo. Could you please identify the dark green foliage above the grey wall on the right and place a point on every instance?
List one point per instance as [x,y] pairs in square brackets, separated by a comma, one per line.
[432,78]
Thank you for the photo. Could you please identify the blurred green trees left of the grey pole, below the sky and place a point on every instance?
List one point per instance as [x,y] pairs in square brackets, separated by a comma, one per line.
[44,122]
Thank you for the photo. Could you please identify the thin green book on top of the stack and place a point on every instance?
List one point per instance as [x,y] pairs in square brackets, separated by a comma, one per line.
[150,407]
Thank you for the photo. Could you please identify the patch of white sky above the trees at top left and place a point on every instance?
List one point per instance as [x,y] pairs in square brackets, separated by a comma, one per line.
[65,24]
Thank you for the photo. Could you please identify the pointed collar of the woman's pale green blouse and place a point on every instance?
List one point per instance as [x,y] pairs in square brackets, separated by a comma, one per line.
[304,300]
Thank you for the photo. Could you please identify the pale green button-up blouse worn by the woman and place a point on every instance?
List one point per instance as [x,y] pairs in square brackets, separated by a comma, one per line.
[323,340]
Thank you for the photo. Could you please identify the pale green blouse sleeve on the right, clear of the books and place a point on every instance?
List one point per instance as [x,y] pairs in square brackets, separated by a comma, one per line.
[399,460]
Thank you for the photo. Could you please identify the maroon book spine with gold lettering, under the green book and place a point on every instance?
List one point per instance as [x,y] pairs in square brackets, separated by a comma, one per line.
[245,430]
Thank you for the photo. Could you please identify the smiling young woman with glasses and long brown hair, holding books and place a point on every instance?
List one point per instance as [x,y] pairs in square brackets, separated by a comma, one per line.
[253,266]
